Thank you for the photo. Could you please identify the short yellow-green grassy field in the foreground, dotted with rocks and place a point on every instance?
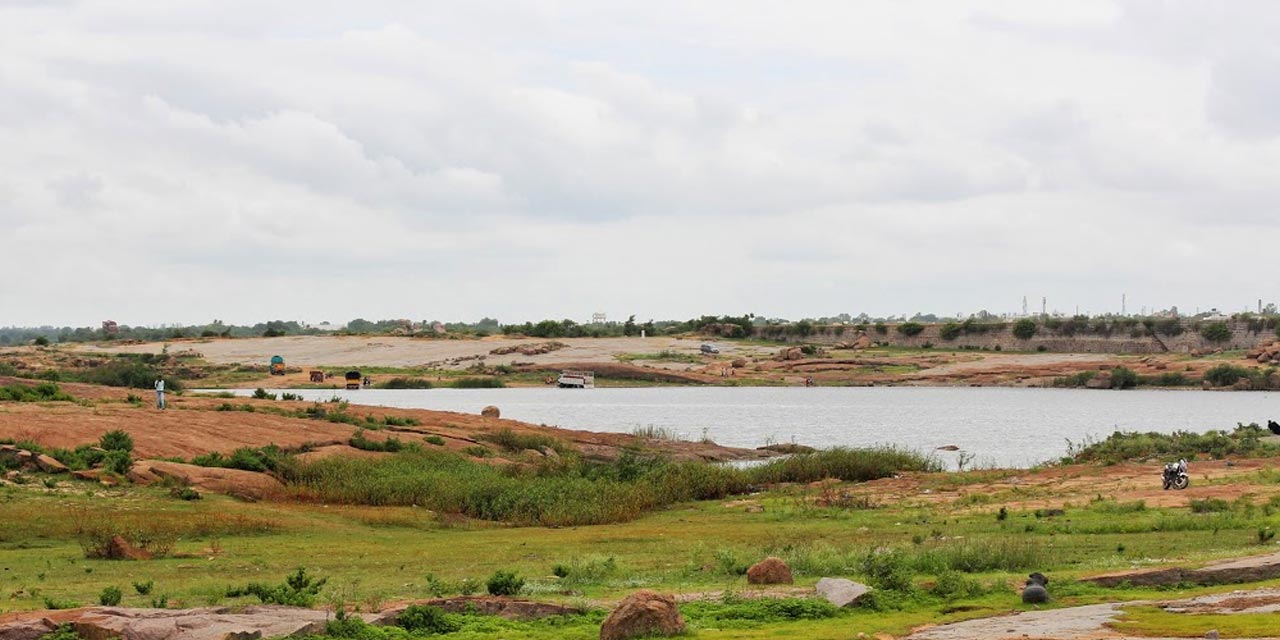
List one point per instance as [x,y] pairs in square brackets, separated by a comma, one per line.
[930,563]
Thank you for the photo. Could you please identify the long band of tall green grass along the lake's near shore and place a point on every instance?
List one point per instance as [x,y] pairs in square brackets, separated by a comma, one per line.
[568,492]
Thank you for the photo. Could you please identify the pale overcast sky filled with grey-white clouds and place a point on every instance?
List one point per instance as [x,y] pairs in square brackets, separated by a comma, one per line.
[167,162]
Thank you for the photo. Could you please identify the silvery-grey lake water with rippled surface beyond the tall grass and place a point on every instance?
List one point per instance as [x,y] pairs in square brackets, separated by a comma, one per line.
[998,426]
